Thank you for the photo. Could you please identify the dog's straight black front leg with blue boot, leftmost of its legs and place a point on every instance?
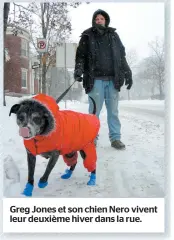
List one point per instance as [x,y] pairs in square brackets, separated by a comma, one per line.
[31,159]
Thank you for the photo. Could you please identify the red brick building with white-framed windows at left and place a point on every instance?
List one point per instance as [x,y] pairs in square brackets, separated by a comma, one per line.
[17,71]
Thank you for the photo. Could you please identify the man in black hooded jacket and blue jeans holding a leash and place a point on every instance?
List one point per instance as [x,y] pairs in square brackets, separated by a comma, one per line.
[100,57]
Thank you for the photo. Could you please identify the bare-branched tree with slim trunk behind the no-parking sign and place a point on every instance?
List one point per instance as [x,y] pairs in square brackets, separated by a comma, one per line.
[45,20]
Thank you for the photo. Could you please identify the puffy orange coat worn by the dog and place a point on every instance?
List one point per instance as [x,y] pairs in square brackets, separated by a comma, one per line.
[72,132]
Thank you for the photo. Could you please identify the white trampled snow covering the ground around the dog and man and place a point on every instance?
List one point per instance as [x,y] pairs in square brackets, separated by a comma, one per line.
[137,171]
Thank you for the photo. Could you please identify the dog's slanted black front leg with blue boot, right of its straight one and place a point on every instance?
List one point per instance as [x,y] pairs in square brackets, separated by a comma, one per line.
[44,179]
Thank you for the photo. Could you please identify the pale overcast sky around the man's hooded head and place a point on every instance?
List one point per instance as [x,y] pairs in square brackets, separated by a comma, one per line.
[136,23]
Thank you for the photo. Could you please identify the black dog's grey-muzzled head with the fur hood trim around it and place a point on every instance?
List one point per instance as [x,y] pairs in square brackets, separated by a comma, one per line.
[32,118]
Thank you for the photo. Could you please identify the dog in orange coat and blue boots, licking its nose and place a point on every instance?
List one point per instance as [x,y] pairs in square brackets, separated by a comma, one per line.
[51,132]
